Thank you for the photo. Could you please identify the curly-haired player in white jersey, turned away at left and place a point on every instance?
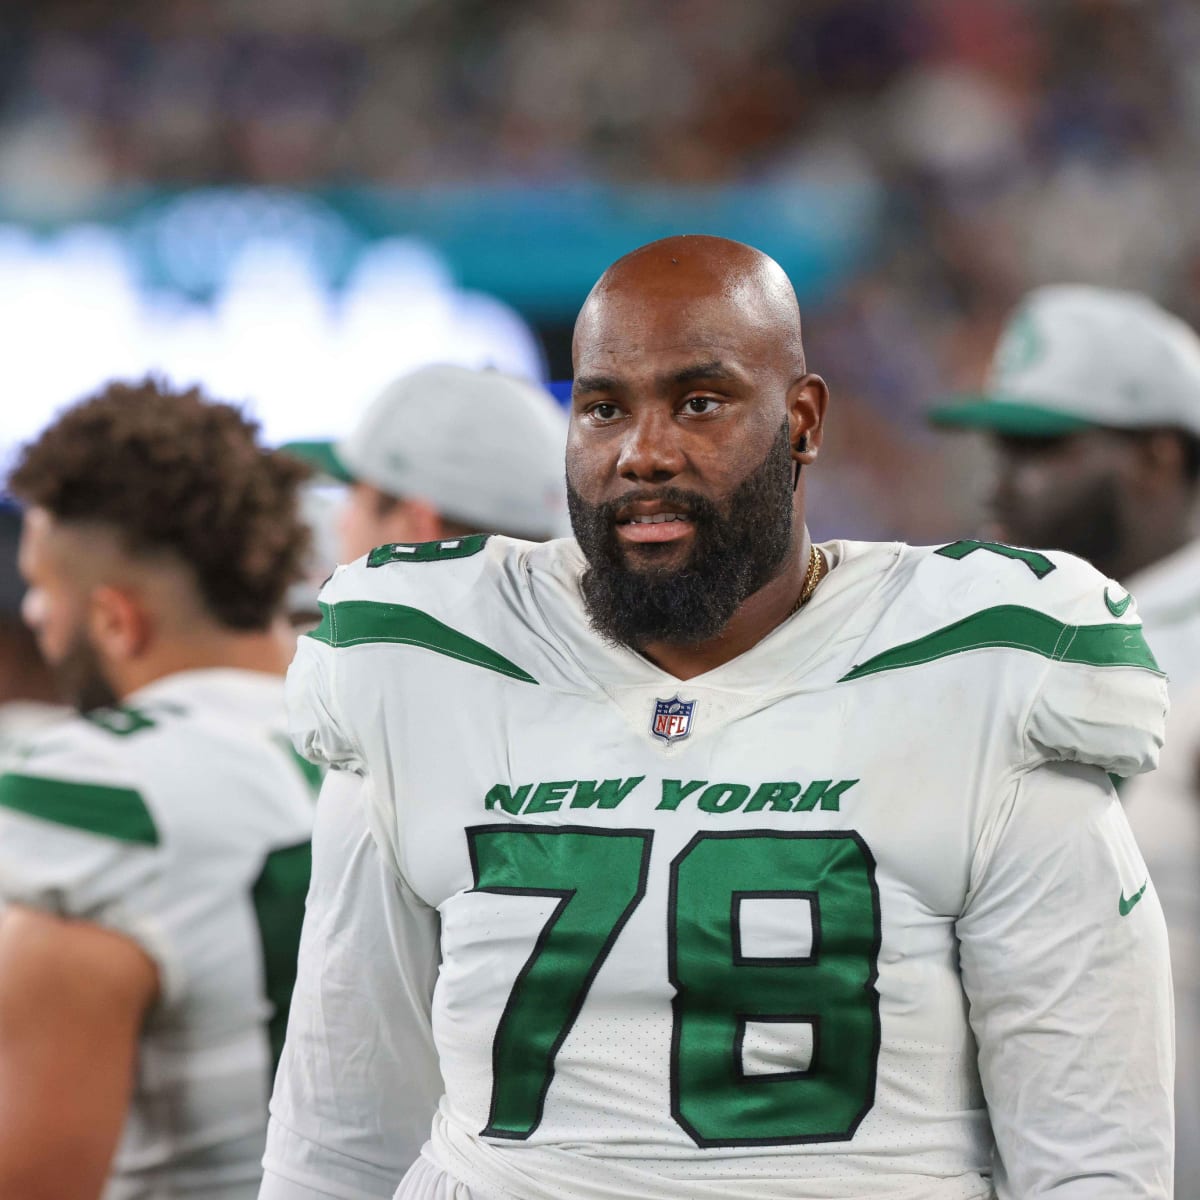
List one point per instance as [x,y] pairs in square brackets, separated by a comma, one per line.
[154,850]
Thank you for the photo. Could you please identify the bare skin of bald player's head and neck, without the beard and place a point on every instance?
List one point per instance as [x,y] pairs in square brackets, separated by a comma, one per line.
[688,361]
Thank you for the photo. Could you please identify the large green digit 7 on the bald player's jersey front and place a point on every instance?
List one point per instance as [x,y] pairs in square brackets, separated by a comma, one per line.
[599,878]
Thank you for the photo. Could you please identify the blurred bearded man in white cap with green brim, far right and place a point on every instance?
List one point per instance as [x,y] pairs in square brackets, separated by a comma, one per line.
[1094,406]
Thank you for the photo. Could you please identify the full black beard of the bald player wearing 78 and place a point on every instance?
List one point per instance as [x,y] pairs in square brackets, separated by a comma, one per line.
[739,547]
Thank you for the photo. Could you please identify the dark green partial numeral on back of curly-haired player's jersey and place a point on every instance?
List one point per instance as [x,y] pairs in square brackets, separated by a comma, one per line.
[279,897]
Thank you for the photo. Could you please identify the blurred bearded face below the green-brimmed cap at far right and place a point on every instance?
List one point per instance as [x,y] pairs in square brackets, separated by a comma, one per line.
[1117,499]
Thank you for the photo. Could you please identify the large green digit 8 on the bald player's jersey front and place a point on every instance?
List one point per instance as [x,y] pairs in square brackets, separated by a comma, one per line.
[719,991]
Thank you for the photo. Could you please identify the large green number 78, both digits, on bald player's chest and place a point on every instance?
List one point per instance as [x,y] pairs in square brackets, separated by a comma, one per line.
[599,879]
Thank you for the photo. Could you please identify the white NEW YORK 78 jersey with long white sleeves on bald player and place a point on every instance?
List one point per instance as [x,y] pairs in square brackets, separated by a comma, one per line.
[855,914]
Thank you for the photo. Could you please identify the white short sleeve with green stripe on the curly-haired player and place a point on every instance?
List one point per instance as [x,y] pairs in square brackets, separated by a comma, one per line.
[79,839]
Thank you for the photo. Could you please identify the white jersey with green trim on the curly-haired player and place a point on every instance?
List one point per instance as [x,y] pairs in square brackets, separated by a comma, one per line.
[183,823]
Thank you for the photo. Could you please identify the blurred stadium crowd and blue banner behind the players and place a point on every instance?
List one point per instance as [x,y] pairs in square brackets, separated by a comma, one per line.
[914,164]
